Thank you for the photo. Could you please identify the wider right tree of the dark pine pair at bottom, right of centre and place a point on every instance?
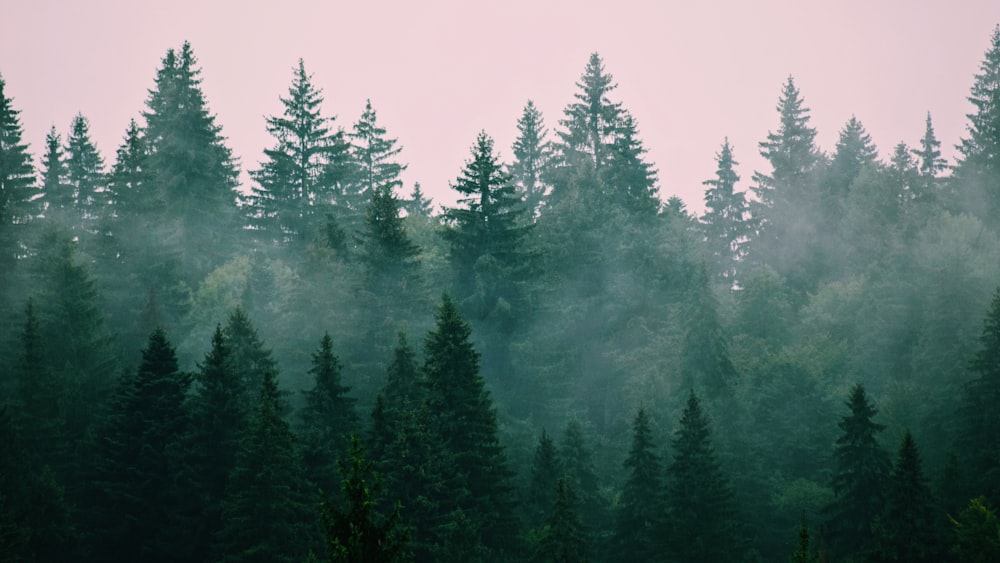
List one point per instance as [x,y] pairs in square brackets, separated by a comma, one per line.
[701,516]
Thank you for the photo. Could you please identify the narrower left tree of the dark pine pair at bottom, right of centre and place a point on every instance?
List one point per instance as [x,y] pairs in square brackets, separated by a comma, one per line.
[641,510]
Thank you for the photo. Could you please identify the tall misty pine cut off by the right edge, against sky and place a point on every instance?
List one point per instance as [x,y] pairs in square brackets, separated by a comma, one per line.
[978,167]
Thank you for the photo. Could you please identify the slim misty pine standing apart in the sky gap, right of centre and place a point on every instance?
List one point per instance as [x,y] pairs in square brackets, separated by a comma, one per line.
[725,222]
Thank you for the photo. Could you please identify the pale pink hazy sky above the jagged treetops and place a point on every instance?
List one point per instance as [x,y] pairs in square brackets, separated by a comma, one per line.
[438,72]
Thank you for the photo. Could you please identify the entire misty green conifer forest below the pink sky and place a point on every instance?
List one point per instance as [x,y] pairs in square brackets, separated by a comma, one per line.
[313,362]
